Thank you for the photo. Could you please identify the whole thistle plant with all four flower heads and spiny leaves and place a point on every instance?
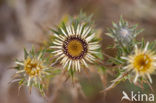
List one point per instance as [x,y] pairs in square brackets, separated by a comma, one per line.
[74,44]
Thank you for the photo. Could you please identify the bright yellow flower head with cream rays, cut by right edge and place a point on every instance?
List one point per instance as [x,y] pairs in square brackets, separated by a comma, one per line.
[142,62]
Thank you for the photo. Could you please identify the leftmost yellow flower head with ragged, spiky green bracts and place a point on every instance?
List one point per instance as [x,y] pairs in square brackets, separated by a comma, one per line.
[32,70]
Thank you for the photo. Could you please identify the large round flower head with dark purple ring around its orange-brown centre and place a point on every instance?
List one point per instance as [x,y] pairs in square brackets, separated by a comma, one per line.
[75,44]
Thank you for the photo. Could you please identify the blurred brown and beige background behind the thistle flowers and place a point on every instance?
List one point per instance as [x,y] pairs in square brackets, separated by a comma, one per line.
[24,23]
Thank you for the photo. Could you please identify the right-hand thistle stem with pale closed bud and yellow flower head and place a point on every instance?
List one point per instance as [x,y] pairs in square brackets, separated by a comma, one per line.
[130,59]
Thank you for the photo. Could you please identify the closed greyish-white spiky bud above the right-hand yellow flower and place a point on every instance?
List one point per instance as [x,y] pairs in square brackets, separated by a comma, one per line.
[122,32]
